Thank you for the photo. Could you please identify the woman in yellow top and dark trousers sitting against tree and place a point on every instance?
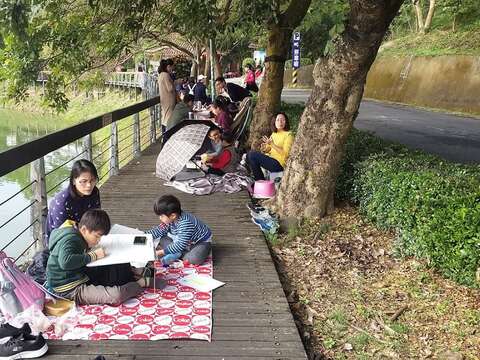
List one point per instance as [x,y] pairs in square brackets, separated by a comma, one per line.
[275,149]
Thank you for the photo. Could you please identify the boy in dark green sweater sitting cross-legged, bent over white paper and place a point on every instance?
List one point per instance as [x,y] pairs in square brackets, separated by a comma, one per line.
[71,249]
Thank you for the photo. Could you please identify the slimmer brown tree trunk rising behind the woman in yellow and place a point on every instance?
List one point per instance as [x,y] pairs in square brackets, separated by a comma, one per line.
[276,54]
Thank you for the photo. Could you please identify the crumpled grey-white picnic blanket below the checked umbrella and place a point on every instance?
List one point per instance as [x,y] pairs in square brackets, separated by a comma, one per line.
[229,183]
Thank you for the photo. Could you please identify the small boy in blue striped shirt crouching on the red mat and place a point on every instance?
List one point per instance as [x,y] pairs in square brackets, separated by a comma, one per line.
[190,237]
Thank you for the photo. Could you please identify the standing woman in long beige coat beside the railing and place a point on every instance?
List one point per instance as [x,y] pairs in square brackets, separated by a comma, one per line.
[167,90]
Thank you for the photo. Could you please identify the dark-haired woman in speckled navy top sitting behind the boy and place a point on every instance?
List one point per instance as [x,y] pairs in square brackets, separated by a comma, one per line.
[81,195]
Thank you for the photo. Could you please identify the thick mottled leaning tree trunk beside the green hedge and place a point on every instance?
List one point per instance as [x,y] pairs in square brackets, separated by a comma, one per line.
[308,184]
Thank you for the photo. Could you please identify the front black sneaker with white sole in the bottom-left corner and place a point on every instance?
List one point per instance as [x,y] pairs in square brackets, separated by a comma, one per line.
[23,346]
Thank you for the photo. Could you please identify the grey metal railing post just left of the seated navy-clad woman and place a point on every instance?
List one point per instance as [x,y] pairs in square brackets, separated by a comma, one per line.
[40,208]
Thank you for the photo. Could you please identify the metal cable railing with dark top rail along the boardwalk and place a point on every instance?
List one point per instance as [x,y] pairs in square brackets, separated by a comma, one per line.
[110,141]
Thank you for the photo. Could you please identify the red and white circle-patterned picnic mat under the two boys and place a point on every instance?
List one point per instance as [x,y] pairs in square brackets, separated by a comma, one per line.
[175,312]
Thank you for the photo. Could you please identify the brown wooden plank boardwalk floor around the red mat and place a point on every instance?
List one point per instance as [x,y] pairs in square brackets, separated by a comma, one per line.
[251,317]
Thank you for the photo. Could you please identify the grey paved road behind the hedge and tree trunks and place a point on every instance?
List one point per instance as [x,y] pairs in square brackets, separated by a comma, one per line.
[452,137]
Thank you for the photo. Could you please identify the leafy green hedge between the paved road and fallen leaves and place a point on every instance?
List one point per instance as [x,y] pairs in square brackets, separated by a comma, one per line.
[434,205]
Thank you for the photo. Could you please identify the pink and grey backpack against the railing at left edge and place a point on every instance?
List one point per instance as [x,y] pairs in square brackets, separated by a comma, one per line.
[18,291]
